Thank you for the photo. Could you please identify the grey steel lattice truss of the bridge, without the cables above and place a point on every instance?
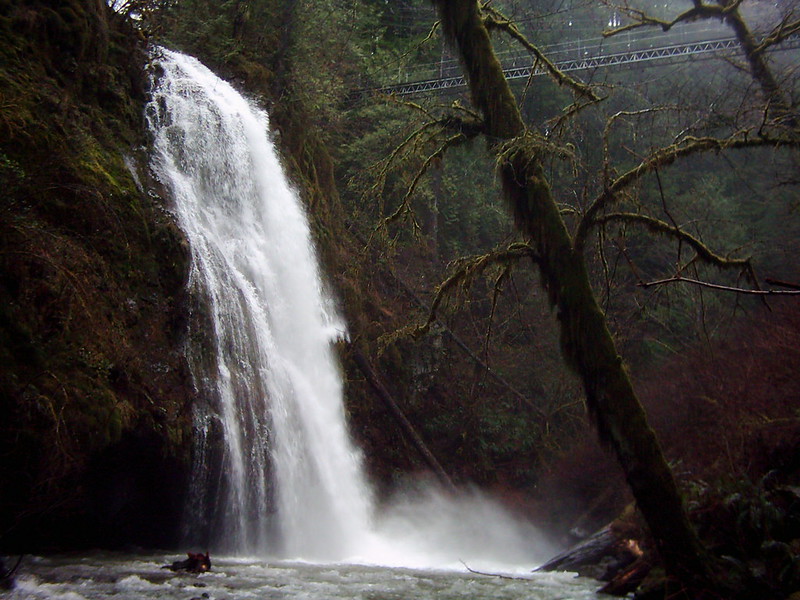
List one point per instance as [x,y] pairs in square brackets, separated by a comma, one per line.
[676,51]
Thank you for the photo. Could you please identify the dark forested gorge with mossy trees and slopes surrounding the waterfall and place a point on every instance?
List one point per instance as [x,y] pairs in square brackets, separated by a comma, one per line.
[577,288]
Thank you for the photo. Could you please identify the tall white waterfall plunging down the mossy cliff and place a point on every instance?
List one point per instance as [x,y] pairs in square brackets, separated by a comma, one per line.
[272,441]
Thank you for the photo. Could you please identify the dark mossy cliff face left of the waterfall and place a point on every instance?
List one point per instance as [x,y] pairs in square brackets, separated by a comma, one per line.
[95,395]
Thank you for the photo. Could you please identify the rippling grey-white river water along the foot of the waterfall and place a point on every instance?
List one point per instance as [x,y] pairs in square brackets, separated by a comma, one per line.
[140,577]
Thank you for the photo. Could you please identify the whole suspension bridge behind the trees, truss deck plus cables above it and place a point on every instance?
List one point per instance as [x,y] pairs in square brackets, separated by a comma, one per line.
[579,55]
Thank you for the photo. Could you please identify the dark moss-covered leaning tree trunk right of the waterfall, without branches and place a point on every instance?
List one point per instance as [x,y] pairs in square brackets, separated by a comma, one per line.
[586,341]
